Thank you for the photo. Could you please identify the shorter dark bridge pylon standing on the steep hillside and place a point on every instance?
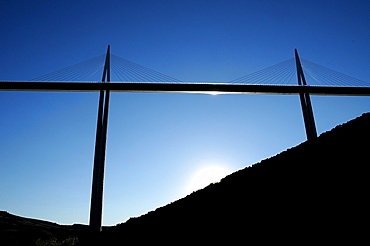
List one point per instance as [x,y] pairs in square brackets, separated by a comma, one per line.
[308,118]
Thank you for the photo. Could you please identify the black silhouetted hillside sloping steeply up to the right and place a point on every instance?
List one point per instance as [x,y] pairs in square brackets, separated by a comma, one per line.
[316,191]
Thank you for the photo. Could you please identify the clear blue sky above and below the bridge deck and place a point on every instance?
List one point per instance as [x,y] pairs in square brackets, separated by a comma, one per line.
[158,142]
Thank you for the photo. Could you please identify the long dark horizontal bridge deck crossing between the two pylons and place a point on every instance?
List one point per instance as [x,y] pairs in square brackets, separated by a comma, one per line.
[182,87]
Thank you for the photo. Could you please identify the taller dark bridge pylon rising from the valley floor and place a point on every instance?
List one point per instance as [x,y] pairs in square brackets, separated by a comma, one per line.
[96,206]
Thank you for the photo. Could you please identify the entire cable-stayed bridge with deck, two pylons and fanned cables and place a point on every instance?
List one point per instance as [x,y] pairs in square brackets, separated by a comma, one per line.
[131,77]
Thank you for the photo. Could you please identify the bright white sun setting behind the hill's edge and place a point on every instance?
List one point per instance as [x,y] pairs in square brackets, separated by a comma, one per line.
[205,176]
